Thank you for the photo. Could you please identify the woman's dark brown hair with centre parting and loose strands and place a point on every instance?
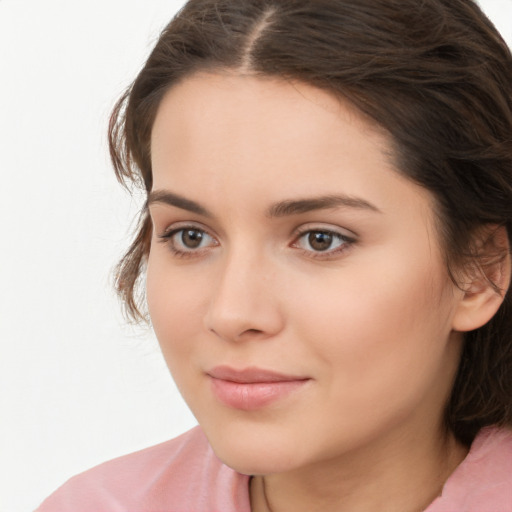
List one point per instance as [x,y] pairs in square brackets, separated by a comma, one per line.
[434,73]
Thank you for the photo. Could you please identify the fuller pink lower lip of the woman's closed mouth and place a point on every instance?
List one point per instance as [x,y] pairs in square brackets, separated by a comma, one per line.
[254,395]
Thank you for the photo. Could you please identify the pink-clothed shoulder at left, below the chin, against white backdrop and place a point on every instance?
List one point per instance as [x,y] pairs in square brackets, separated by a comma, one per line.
[180,475]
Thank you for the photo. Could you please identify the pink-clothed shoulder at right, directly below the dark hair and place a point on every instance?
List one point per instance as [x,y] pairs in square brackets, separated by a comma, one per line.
[483,481]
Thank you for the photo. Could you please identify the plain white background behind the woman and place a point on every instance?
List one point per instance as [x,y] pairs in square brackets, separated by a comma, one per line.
[77,384]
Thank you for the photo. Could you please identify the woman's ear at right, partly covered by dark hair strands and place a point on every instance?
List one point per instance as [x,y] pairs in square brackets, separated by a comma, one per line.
[487,280]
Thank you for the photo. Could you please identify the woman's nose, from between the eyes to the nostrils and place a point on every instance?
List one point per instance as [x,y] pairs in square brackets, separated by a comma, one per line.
[245,303]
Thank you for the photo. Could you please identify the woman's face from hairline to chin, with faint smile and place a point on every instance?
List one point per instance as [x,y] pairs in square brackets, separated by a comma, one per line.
[295,280]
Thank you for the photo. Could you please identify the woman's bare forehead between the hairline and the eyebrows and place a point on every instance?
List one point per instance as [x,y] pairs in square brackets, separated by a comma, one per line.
[239,135]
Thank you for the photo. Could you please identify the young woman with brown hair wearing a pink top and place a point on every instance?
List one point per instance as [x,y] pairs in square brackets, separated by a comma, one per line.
[326,251]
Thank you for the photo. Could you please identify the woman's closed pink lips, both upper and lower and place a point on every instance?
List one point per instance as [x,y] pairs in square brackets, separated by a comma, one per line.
[252,388]
